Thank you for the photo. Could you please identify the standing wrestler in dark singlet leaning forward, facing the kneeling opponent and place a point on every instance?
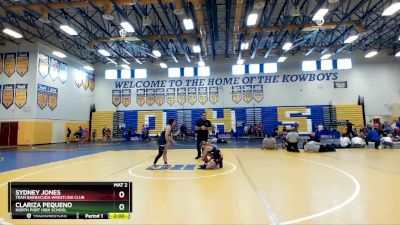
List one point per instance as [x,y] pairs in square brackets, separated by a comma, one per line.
[164,141]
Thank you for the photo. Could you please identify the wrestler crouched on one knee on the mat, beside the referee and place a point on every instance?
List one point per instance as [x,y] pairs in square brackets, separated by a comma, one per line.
[212,156]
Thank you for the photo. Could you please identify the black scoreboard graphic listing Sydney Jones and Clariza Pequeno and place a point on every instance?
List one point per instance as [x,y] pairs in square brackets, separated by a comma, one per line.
[70,200]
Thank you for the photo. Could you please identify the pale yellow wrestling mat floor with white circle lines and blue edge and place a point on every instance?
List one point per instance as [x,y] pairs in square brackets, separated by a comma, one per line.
[357,186]
